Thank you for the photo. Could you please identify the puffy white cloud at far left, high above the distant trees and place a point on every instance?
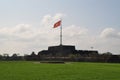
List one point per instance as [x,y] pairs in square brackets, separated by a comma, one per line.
[19,31]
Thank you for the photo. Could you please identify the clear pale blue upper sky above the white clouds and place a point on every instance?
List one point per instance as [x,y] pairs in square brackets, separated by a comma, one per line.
[90,13]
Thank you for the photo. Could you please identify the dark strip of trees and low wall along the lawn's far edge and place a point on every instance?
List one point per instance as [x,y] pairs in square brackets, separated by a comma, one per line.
[104,57]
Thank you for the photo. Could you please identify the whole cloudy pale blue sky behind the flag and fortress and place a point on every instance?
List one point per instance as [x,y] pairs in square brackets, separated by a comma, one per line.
[27,25]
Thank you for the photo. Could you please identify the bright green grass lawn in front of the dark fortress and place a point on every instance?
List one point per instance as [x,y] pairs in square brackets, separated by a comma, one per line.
[69,71]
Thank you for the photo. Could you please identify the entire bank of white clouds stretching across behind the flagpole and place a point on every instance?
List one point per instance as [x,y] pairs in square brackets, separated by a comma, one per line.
[25,38]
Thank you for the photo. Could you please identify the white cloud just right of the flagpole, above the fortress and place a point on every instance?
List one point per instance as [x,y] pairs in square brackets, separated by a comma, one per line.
[73,34]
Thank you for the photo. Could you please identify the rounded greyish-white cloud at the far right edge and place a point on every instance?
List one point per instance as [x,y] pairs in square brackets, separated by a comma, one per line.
[108,40]
